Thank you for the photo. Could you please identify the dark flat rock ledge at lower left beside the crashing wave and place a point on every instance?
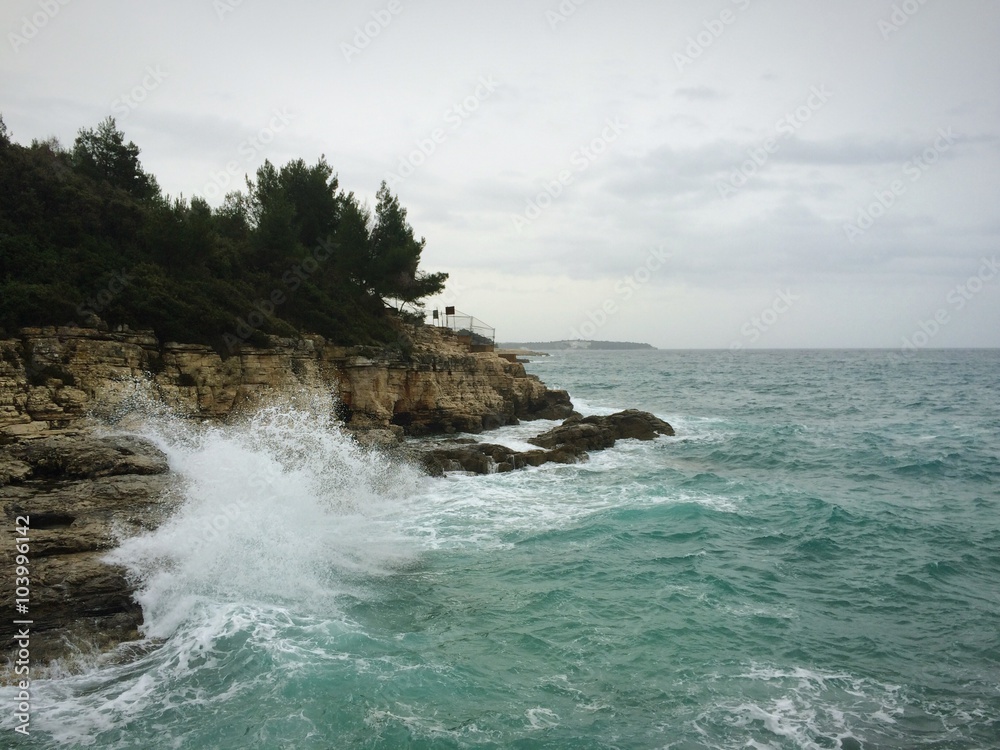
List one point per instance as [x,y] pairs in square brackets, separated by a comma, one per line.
[82,493]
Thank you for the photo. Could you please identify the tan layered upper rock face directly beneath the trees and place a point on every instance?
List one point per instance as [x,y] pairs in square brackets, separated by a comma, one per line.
[49,377]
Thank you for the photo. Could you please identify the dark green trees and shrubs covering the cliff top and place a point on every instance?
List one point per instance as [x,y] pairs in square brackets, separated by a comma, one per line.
[86,233]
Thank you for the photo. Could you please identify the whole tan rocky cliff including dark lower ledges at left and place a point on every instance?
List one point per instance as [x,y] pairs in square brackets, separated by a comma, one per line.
[83,490]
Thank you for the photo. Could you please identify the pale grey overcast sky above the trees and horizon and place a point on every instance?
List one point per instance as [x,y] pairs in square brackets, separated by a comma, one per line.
[718,174]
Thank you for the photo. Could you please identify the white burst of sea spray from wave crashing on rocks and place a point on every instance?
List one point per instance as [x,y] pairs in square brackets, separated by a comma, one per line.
[281,507]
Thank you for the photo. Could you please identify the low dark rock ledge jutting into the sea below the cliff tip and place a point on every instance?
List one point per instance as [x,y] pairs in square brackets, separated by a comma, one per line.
[566,444]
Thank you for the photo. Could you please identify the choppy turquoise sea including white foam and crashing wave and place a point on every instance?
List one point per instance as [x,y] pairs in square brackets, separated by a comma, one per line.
[813,561]
